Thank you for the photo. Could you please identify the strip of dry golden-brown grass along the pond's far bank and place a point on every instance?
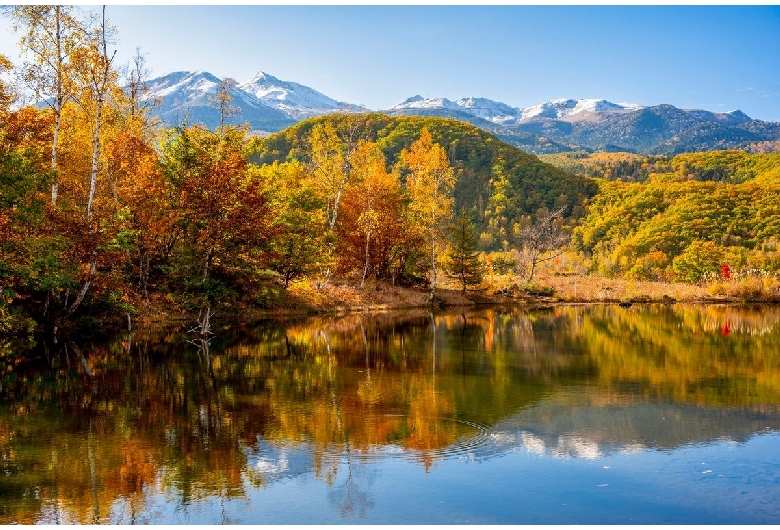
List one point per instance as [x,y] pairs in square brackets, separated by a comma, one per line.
[342,296]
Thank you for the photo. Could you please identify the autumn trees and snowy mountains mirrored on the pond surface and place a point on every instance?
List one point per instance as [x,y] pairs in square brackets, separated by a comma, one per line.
[97,433]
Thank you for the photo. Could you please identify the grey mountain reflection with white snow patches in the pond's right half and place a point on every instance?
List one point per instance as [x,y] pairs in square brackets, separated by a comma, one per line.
[590,431]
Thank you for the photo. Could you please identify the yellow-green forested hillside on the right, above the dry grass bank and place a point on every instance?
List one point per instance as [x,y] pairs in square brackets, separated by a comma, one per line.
[689,217]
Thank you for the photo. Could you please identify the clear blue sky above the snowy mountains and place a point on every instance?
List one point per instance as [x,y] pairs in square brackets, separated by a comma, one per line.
[717,58]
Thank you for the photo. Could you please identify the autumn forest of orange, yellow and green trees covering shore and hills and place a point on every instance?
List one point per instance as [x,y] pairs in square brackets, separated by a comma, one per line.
[106,212]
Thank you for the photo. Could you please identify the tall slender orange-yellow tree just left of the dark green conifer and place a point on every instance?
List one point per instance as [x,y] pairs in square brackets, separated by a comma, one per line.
[430,181]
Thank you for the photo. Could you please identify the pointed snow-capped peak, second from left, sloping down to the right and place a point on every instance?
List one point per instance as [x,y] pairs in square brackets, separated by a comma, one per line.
[295,100]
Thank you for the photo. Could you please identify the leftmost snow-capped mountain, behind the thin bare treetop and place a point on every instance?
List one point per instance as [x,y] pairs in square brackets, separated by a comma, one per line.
[189,96]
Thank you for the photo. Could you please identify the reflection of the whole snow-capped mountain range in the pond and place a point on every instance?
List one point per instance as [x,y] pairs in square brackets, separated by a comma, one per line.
[551,428]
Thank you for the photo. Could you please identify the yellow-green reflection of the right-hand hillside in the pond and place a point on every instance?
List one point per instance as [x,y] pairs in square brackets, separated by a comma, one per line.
[683,353]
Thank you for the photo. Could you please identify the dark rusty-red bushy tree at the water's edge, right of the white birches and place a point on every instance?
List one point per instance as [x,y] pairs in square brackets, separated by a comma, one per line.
[224,214]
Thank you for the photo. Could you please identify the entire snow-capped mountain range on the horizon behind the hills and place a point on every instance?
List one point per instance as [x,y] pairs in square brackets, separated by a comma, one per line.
[269,104]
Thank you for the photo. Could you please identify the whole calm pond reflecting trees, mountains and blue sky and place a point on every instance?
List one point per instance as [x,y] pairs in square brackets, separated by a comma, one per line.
[575,414]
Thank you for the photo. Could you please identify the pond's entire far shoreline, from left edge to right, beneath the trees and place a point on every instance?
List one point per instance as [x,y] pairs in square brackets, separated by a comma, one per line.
[343,297]
